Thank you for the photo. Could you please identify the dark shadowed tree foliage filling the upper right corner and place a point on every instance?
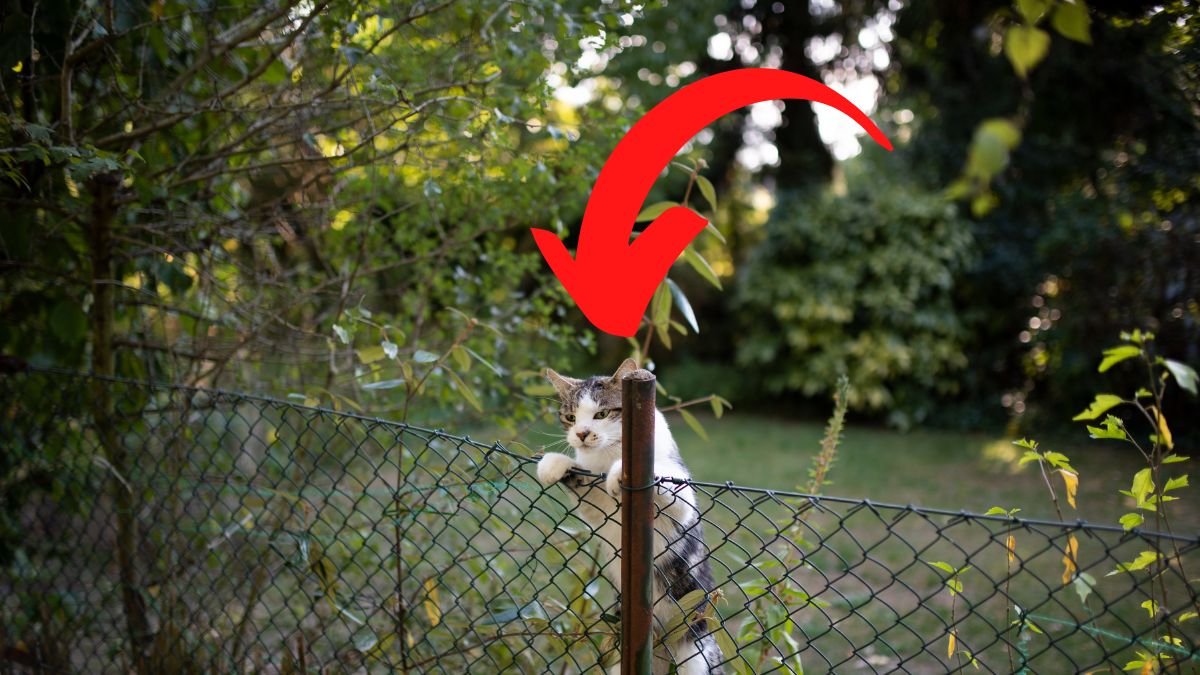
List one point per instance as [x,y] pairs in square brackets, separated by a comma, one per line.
[1088,225]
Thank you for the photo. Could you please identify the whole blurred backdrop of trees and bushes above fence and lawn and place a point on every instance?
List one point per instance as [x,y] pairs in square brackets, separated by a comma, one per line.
[332,200]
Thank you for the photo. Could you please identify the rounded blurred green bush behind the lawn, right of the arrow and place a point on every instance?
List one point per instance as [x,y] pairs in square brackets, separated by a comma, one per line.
[859,285]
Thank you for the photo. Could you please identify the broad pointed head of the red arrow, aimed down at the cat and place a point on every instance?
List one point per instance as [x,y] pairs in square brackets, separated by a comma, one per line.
[614,290]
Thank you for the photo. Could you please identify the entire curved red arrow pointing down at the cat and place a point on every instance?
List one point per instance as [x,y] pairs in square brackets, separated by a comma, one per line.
[613,280]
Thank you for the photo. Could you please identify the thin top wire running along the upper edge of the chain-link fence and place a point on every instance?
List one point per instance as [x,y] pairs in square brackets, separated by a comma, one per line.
[728,487]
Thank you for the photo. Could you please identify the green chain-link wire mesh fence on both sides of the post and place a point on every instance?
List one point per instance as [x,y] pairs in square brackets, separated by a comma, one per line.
[273,537]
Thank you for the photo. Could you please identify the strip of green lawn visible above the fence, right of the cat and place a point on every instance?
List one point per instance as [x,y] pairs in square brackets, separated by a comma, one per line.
[932,469]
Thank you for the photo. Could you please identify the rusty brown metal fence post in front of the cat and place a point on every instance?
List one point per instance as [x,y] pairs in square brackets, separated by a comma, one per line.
[638,523]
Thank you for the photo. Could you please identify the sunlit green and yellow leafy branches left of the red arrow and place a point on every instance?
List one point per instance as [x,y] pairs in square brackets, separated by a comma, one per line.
[335,194]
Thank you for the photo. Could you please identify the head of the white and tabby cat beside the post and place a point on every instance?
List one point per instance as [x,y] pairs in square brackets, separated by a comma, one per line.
[590,410]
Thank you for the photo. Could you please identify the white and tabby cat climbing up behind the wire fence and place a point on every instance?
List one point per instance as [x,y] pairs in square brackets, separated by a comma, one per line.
[591,415]
